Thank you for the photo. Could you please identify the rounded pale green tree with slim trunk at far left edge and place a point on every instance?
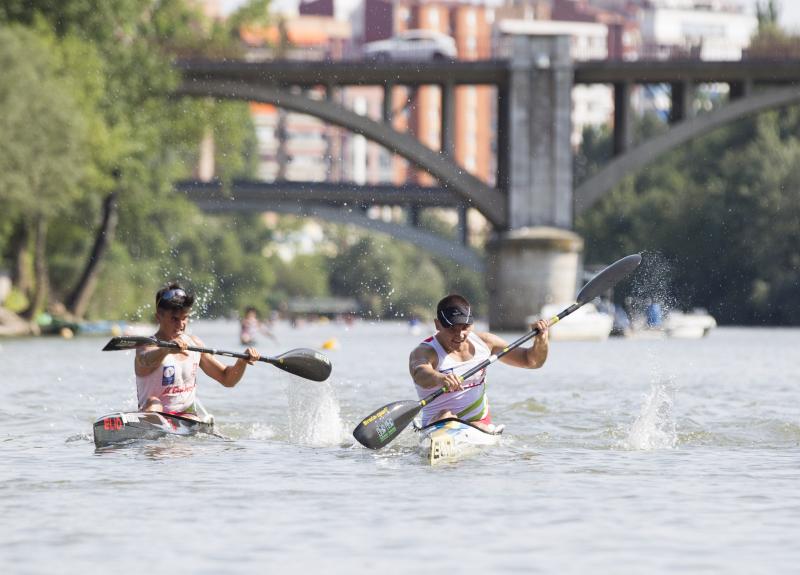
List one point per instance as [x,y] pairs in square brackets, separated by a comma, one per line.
[44,144]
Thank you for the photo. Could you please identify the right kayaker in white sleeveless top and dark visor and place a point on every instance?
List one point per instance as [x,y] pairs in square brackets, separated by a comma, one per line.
[454,349]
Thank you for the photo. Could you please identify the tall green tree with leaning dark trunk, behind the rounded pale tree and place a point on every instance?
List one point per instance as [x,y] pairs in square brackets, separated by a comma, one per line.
[139,141]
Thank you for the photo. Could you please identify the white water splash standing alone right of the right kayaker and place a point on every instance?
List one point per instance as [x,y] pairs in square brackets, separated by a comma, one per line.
[655,427]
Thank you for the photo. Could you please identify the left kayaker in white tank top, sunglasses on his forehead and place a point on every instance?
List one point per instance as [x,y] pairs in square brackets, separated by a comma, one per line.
[166,379]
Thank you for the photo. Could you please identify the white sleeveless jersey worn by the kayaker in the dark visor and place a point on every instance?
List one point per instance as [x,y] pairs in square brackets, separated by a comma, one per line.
[470,404]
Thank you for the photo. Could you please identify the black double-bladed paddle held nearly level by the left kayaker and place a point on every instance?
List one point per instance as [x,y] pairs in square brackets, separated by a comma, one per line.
[302,362]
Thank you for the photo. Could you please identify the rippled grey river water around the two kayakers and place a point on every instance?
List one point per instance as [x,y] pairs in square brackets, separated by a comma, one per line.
[628,456]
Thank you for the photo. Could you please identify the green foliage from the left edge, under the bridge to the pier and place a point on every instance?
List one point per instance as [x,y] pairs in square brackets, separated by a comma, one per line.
[85,110]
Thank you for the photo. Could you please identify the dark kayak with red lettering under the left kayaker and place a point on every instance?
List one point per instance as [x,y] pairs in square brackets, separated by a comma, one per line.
[122,427]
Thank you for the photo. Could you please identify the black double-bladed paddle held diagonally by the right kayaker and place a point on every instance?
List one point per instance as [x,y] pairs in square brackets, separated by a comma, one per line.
[384,424]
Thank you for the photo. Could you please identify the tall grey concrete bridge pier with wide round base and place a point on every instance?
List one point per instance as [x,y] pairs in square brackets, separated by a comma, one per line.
[536,260]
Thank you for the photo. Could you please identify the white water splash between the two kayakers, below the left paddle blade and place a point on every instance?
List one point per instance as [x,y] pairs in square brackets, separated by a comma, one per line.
[314,414]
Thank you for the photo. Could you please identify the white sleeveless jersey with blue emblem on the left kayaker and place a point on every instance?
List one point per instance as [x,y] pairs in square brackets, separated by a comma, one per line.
[174,382]
